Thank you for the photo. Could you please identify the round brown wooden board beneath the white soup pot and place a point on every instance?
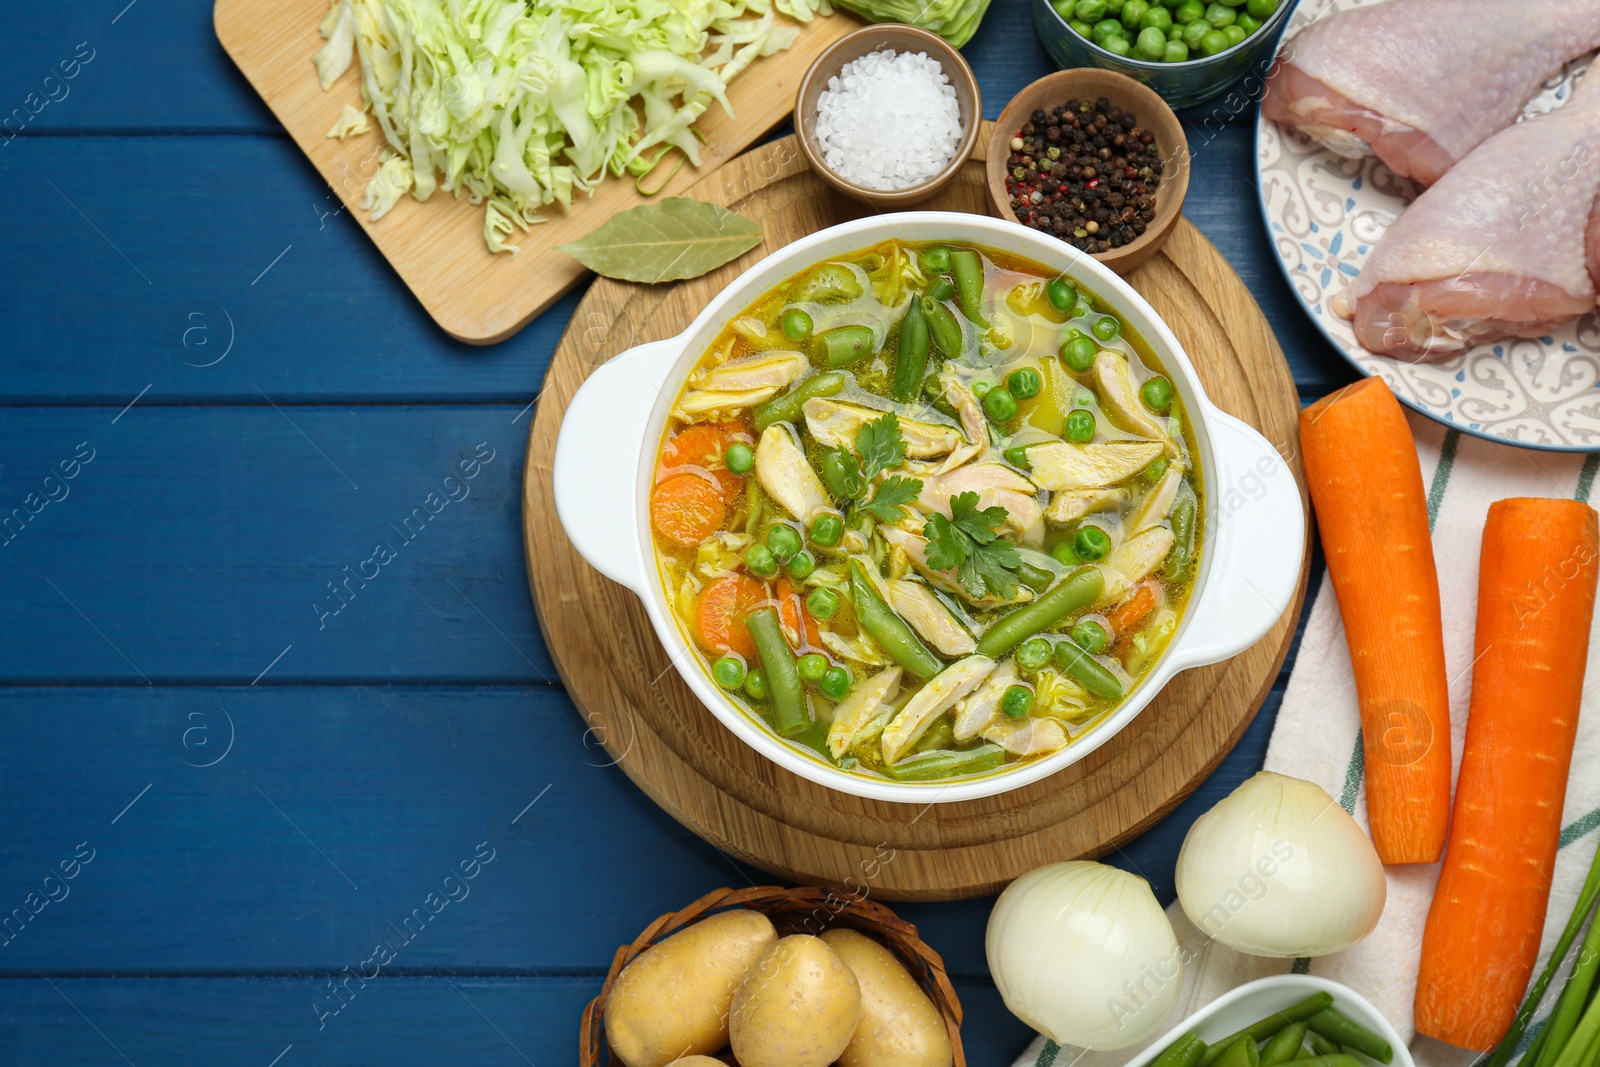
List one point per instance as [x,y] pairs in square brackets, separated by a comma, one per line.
[676,751]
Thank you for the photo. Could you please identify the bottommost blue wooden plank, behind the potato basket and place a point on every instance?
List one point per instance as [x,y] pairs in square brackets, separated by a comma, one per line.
[394,1021]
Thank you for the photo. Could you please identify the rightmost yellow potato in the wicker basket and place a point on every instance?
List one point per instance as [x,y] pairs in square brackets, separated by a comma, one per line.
[900,1026]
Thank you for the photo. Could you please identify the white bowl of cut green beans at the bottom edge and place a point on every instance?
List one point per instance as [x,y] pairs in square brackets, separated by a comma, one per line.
[1282,1021]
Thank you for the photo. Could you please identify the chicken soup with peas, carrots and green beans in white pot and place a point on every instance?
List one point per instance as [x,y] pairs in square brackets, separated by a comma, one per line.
[927,511]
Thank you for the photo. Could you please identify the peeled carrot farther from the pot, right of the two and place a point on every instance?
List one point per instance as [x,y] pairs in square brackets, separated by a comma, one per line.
[1537,597]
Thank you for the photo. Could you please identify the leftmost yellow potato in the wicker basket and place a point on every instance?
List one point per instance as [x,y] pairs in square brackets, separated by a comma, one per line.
[674,999]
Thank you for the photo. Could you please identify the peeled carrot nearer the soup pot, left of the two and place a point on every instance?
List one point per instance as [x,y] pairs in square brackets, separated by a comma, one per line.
[1372,511]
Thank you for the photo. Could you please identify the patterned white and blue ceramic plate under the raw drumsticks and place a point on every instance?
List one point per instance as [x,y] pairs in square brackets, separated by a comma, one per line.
[1324,217]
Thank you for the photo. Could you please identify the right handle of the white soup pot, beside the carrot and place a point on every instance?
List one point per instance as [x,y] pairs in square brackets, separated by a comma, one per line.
[1257,540]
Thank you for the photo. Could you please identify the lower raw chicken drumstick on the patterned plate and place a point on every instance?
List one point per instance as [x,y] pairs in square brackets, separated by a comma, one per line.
[1502,247]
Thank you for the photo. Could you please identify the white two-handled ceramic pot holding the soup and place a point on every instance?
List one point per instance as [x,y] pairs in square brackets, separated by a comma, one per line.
[1255,530]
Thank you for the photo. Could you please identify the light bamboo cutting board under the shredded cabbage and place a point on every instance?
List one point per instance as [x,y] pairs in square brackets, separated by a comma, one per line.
[438,247]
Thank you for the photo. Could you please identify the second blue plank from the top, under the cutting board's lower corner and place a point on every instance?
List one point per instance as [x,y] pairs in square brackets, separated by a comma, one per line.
[185,282]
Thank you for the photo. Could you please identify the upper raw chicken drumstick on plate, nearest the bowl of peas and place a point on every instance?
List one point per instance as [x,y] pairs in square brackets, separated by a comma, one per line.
[1423,82]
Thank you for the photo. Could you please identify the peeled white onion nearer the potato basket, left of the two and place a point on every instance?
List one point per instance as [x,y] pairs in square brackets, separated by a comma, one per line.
[1084,954]
